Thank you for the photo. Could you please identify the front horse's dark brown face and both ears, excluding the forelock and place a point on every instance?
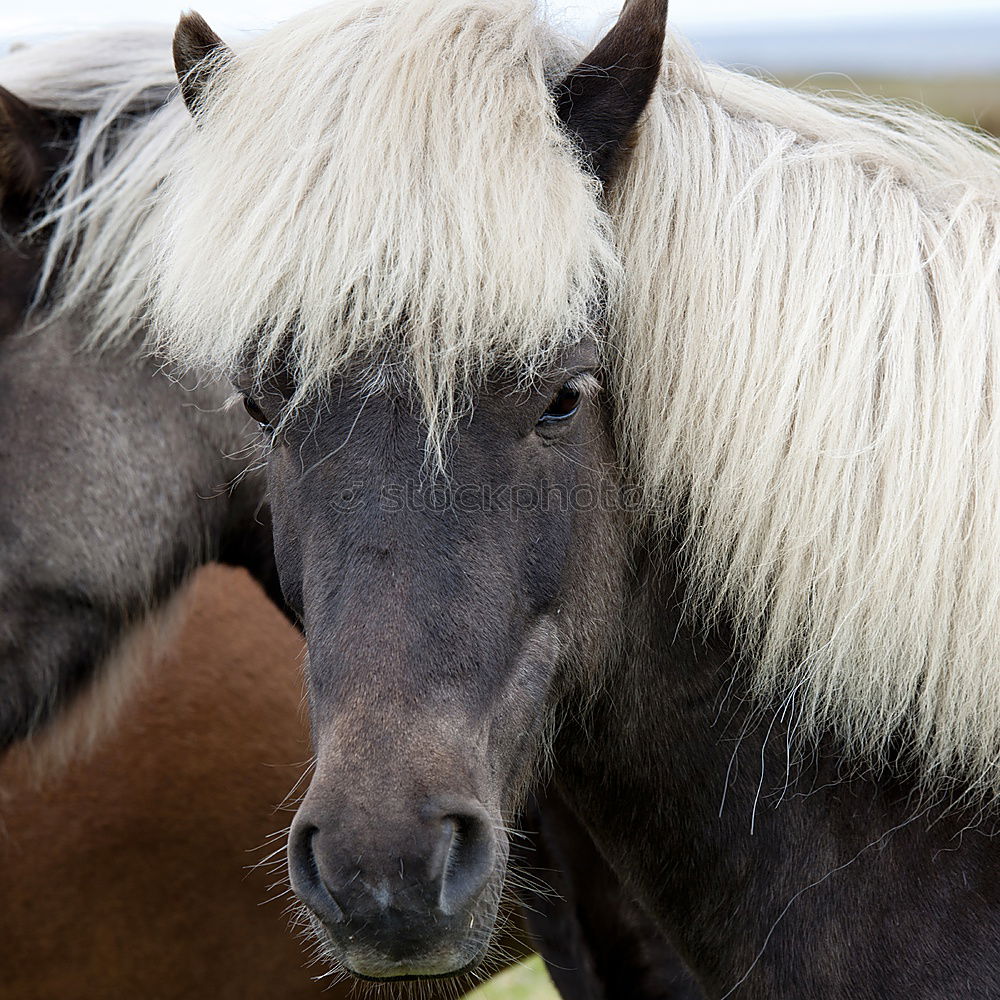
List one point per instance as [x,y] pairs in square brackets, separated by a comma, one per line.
[448,610]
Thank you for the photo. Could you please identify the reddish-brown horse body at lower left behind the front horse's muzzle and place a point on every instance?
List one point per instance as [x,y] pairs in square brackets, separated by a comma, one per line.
[127,872]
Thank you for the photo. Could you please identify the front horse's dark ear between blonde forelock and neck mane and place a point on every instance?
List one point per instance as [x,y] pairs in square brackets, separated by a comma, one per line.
[601,100]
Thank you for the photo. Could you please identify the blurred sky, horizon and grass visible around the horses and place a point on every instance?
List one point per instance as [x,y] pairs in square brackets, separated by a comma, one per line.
[945,55]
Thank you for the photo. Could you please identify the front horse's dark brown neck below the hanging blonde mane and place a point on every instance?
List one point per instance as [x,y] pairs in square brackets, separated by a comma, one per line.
[693,794]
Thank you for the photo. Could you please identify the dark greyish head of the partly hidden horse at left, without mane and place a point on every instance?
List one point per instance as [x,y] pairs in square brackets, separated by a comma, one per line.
[116,482]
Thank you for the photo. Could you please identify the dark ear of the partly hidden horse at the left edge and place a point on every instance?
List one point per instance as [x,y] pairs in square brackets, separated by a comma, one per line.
[26,138]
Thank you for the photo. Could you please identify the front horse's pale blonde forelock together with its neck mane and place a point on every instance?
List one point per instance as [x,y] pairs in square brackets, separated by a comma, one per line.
[802,298]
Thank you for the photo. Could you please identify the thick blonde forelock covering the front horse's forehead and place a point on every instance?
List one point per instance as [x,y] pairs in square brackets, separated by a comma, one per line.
[429,190]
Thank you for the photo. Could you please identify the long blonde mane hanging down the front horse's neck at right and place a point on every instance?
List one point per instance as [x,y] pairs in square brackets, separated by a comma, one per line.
[810,363]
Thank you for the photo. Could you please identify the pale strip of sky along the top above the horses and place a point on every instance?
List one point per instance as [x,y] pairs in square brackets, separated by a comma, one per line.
[17,17]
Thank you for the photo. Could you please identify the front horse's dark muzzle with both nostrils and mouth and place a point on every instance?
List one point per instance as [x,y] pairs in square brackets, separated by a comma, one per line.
[400,901]
